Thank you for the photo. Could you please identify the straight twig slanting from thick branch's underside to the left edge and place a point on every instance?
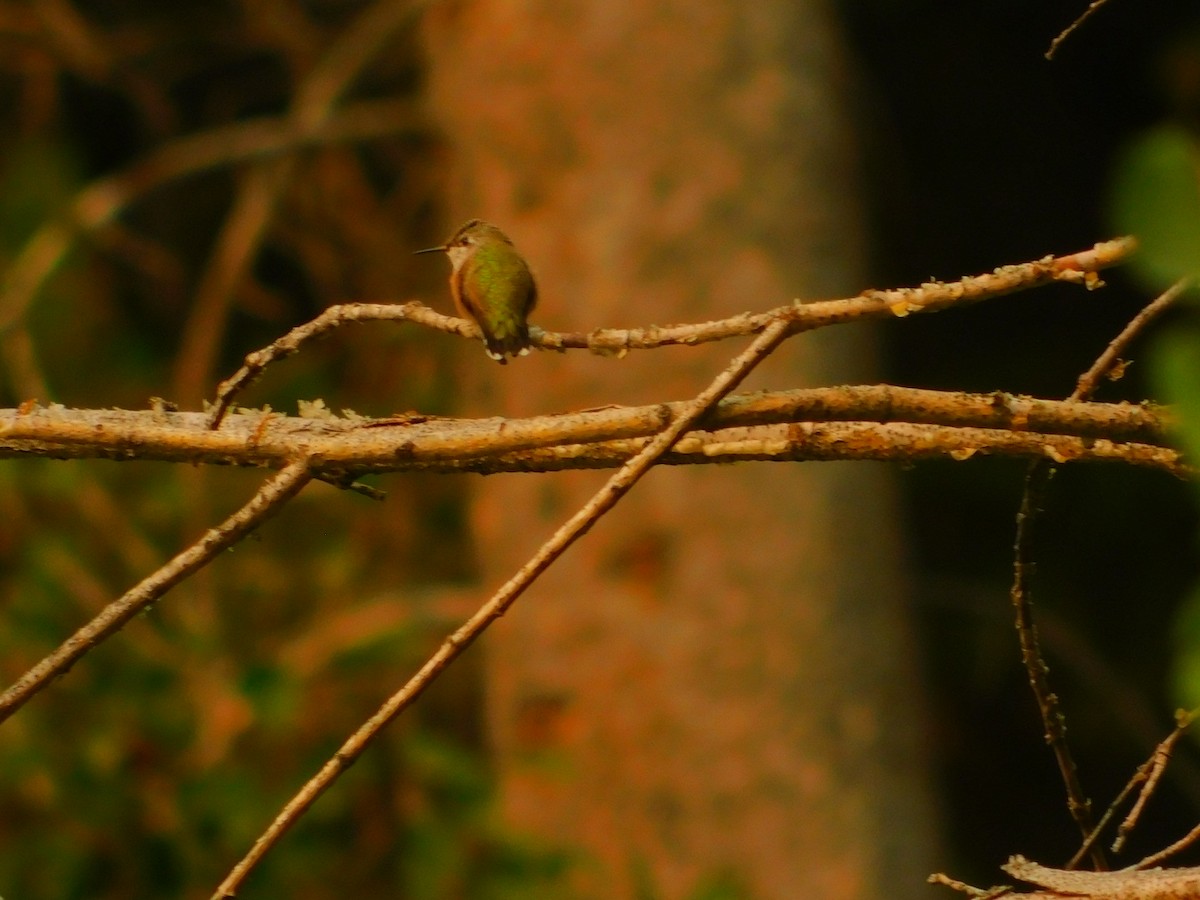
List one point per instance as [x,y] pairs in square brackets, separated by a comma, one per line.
[266,503]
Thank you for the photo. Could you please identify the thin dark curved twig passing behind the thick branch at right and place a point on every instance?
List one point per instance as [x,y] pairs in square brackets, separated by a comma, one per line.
[1033,500]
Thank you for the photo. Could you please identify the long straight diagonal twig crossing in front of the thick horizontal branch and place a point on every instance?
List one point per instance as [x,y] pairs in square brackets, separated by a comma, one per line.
[605,500]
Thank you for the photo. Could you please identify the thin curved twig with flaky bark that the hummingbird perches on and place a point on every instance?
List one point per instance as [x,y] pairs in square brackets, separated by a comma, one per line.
[899,303]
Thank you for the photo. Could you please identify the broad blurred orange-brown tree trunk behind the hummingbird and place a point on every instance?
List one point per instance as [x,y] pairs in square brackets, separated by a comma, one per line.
[717,687]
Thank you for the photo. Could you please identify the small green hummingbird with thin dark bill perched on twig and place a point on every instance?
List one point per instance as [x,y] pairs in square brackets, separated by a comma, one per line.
[493,286]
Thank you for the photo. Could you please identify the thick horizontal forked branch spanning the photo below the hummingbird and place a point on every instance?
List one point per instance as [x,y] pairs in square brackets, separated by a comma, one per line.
[845,423]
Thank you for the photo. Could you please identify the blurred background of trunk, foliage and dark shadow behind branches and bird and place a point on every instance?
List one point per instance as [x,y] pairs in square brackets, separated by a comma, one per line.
[749,683]
